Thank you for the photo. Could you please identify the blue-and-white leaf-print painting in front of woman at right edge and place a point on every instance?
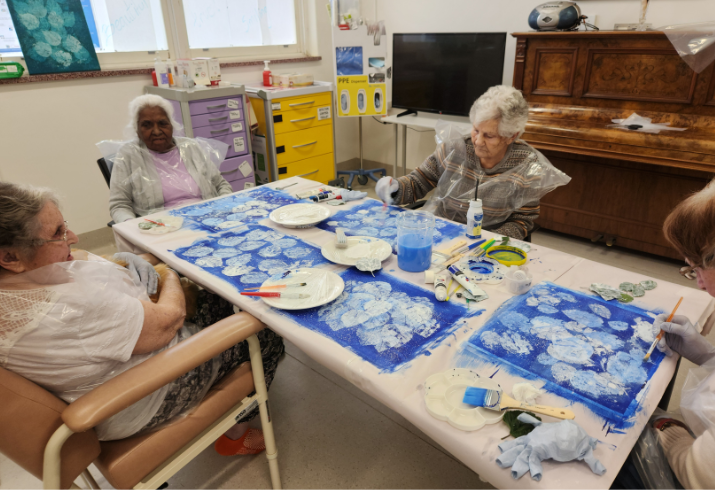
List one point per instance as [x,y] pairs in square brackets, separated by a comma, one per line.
[584,348]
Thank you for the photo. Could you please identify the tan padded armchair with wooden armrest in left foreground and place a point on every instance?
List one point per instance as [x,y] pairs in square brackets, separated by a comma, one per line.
[56,442]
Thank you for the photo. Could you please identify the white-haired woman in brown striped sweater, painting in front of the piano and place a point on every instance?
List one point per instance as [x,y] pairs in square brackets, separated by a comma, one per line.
[498,119]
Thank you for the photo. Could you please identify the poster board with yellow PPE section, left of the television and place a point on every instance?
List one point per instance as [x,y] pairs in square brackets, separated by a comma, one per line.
[361,71]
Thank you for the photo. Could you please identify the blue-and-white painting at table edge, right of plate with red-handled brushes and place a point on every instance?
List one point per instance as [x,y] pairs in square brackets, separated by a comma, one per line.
[386,321]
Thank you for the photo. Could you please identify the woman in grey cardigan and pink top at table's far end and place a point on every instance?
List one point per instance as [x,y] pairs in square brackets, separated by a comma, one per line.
[159,170]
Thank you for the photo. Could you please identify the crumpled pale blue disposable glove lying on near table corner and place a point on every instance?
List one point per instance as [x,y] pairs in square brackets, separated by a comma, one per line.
[562,441]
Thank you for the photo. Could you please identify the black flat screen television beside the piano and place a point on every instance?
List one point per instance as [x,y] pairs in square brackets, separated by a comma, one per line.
[445,73]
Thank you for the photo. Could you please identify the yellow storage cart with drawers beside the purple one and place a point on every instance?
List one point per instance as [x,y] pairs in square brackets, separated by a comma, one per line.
[295,135]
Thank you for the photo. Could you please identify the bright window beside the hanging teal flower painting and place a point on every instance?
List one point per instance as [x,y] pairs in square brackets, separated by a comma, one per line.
[130,33]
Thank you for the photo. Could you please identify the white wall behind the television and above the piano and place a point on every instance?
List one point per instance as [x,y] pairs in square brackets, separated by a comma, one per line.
[509,16]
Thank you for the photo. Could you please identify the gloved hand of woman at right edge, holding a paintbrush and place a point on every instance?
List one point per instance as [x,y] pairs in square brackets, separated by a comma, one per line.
[682,337]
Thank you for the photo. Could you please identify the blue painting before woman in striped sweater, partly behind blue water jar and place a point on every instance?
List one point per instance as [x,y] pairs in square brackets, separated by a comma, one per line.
[370,219]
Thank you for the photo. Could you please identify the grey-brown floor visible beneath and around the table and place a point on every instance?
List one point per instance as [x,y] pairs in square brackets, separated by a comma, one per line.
[331,435]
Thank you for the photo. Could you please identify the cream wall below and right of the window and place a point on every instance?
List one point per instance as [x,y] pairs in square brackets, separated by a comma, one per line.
[48,130]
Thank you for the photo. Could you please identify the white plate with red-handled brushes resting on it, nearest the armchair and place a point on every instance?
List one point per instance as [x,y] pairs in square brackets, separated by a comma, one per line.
[322,286]
